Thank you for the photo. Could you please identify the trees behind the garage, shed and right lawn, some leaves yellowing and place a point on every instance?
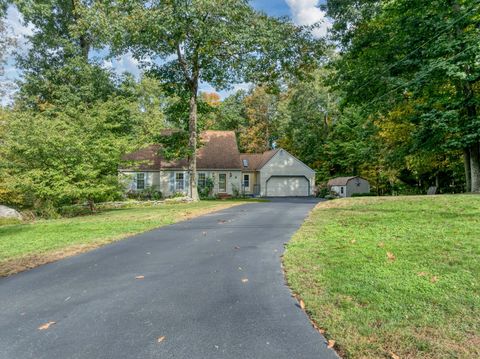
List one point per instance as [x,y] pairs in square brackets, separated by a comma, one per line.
[397,101]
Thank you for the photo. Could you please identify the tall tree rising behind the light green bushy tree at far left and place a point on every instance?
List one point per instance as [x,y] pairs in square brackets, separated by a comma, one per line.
[58,58]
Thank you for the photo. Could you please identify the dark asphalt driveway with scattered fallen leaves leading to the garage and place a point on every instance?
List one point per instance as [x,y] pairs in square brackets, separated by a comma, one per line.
[213,287]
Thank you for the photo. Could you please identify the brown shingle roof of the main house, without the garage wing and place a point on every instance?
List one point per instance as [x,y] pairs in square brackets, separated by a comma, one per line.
[218,151]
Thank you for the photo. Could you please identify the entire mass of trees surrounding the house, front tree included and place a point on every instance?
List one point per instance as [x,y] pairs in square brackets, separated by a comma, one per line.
[391,94]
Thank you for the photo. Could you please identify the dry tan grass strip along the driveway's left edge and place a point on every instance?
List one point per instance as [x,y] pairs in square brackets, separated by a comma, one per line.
[13,266]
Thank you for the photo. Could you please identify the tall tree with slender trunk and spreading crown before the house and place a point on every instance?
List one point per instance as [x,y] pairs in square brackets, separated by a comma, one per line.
[212,41]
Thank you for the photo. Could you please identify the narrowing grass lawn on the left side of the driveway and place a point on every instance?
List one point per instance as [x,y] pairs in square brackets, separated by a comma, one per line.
[26,245]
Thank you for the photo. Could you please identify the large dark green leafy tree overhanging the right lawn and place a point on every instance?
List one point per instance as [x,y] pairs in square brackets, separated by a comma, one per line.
[422,55]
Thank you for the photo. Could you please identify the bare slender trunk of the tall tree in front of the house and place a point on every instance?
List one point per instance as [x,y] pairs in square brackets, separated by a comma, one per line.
[192,143]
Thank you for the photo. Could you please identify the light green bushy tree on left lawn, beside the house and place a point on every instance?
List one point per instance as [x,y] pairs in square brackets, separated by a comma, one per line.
[54,159]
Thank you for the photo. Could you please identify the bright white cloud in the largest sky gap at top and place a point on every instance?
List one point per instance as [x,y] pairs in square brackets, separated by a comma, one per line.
[307,12]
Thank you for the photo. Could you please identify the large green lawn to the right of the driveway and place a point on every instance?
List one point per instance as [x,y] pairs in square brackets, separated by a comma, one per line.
[392,277]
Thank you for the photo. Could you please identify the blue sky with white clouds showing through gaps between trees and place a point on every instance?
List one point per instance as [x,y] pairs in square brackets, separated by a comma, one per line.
[302,12]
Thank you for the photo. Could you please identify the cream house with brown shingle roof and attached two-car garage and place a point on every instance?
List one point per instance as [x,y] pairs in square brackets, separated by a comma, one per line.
[272,173]
